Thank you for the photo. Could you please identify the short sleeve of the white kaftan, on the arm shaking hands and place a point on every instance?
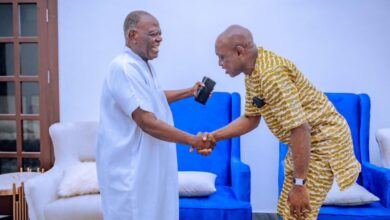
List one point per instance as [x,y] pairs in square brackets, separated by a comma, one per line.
[123,87]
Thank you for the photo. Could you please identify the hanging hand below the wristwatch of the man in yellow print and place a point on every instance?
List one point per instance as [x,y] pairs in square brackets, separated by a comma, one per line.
[298,200]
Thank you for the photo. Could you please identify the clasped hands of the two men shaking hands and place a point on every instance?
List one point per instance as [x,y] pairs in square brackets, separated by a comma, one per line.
[204,143]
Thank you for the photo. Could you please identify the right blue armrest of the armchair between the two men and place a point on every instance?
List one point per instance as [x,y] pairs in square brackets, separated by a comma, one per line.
[241,180]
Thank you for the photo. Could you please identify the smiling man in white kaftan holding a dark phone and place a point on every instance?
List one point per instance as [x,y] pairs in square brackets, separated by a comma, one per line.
[136,159]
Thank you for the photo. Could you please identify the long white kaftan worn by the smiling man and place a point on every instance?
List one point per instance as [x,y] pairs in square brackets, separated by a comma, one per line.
[137,173]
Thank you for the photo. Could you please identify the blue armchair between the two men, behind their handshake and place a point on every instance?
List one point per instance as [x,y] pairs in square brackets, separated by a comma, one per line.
[231,201]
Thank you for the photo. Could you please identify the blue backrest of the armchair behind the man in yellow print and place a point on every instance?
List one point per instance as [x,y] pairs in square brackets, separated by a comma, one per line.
[356,110]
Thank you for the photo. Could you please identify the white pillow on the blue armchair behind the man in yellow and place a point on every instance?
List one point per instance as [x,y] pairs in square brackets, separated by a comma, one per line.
[354,195]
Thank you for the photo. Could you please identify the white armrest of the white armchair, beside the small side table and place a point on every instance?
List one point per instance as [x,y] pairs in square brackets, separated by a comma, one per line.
[42,190]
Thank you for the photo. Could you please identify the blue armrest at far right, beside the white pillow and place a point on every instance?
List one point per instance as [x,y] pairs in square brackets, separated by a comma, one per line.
[377,180]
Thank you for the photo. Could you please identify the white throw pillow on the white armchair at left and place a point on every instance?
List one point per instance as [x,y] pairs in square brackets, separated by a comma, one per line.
[79,179]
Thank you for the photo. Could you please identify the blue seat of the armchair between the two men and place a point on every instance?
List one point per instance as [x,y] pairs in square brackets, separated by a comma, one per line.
[222,204]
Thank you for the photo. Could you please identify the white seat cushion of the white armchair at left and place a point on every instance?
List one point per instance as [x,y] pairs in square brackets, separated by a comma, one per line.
[86,207]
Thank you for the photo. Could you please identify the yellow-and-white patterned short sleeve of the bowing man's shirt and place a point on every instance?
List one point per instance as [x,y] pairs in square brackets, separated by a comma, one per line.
[283,98]
